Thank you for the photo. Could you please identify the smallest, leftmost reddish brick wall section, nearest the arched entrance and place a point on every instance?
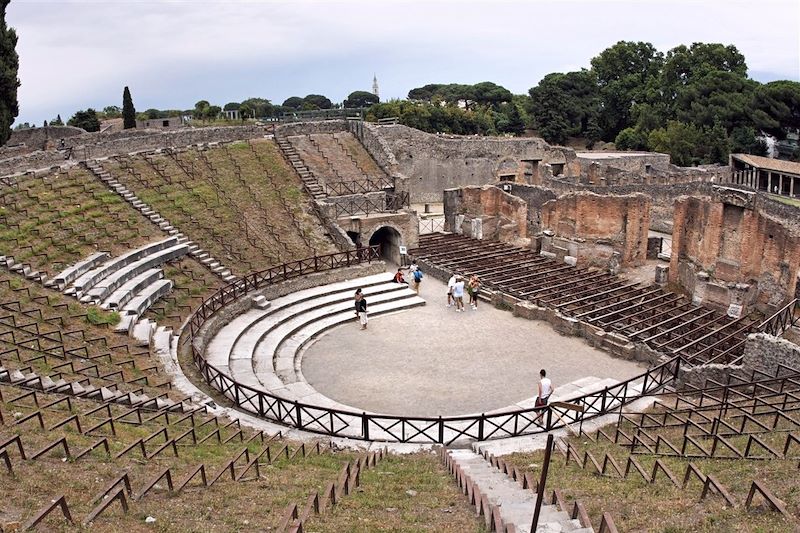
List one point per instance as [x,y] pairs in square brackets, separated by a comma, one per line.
[486,213]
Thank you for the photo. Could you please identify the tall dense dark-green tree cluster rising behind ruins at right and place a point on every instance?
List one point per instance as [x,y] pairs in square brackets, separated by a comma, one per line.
[695,103]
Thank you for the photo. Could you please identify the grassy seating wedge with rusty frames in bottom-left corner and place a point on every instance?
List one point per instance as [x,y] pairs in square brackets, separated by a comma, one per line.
[114,465]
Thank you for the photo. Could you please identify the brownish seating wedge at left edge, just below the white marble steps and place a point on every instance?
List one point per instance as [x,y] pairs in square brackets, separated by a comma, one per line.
[52,336]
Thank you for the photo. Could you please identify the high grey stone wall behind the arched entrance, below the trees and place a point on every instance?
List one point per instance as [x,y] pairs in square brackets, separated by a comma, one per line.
[437,162]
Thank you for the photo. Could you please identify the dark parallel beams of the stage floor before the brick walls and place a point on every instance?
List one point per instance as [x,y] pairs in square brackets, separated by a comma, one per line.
[628,312]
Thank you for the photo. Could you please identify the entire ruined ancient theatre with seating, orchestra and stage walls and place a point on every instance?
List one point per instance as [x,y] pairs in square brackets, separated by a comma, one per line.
[236,392]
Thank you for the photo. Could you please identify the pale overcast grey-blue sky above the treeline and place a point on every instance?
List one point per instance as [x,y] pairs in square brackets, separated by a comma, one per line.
[77,54]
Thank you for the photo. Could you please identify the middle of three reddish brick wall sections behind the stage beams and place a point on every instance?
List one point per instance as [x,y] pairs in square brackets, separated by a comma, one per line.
[591,227]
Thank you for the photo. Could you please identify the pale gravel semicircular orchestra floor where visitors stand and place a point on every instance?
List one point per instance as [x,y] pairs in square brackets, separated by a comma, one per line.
[431,360]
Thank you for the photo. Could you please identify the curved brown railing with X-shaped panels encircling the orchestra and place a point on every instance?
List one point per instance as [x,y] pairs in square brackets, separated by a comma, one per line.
[365,426]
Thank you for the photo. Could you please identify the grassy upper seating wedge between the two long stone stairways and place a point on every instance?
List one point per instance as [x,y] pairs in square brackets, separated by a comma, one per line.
[201,192]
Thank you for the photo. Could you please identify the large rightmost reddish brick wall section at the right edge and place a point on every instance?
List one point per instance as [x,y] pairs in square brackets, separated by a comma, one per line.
[730,253]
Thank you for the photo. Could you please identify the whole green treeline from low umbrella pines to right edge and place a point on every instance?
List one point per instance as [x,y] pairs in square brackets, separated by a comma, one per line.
[694,102]
